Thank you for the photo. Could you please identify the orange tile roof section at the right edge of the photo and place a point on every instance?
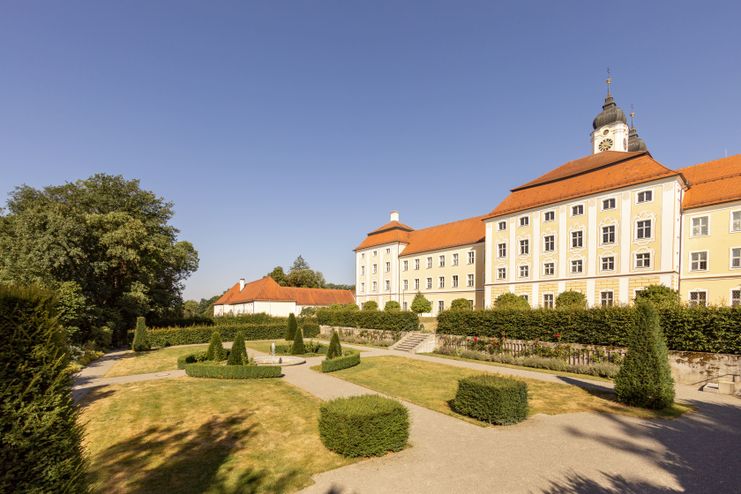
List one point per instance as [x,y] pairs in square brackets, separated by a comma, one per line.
[714,182]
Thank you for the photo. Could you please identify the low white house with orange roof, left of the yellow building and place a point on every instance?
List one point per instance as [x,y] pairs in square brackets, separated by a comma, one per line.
[267,296]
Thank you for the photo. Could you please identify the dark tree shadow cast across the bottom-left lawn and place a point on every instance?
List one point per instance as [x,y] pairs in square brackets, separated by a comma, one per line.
[191,462]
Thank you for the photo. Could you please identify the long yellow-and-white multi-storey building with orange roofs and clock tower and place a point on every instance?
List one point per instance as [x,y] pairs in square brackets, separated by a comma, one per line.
[607,225]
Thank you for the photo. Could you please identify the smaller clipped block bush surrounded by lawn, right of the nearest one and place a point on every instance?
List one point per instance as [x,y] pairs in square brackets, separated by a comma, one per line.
[492,399]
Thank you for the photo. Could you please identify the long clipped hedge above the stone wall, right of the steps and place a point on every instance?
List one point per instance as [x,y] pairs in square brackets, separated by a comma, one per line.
[698,329]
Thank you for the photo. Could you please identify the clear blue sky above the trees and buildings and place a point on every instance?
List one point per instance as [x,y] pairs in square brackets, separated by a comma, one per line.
[281,128]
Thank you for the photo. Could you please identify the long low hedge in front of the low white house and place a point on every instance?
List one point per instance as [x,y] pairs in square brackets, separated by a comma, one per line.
[162,337]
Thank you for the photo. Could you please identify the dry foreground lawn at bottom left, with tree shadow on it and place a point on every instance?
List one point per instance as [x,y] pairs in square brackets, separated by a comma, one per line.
[190,436]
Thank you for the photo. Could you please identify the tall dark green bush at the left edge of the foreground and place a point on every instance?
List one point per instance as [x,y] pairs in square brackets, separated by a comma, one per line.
[39,433]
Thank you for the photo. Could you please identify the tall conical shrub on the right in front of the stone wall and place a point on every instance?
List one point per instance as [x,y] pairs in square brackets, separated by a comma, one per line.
[645,378]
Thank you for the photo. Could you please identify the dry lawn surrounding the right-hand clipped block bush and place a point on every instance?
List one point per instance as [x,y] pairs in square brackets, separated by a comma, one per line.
[433,385]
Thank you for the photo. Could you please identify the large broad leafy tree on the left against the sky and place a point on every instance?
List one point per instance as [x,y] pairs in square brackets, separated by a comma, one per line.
[109,237]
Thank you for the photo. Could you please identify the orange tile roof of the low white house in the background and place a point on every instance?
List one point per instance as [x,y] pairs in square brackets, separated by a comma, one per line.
[267,289]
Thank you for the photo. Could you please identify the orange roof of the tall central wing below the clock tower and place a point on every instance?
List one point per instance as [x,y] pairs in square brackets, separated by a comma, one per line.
[583,177]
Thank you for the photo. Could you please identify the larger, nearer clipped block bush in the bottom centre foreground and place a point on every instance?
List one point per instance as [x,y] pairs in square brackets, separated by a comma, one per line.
[367,425]
